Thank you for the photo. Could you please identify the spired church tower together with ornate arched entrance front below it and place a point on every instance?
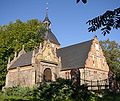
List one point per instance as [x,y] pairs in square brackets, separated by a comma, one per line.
[49,63]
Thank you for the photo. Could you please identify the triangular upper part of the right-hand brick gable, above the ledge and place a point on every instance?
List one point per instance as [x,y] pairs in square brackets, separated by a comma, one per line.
[96,59]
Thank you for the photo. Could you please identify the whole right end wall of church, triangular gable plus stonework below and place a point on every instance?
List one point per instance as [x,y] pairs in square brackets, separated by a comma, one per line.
[96,67]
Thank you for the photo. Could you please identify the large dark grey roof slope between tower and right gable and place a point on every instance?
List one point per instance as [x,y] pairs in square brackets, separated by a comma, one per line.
[74,56]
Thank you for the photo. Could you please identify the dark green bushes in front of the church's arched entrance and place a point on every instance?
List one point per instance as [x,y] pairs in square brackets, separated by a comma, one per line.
[63,90]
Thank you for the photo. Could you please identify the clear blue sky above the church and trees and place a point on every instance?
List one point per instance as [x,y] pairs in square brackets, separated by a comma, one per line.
[68,18]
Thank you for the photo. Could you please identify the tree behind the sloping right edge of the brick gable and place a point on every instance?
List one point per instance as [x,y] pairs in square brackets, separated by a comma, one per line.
[111,51]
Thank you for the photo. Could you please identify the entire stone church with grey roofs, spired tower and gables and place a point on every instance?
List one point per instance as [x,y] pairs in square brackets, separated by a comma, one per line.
[49,62]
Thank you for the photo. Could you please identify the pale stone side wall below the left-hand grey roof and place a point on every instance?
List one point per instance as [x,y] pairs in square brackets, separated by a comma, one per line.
[24,76]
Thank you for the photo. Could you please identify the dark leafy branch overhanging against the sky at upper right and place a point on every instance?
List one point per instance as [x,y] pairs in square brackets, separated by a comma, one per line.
[106,21]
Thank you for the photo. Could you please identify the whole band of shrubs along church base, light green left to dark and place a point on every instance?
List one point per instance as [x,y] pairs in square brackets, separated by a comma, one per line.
[61,90]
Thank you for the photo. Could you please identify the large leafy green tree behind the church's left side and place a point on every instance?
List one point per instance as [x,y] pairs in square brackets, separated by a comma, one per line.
[13,36]
